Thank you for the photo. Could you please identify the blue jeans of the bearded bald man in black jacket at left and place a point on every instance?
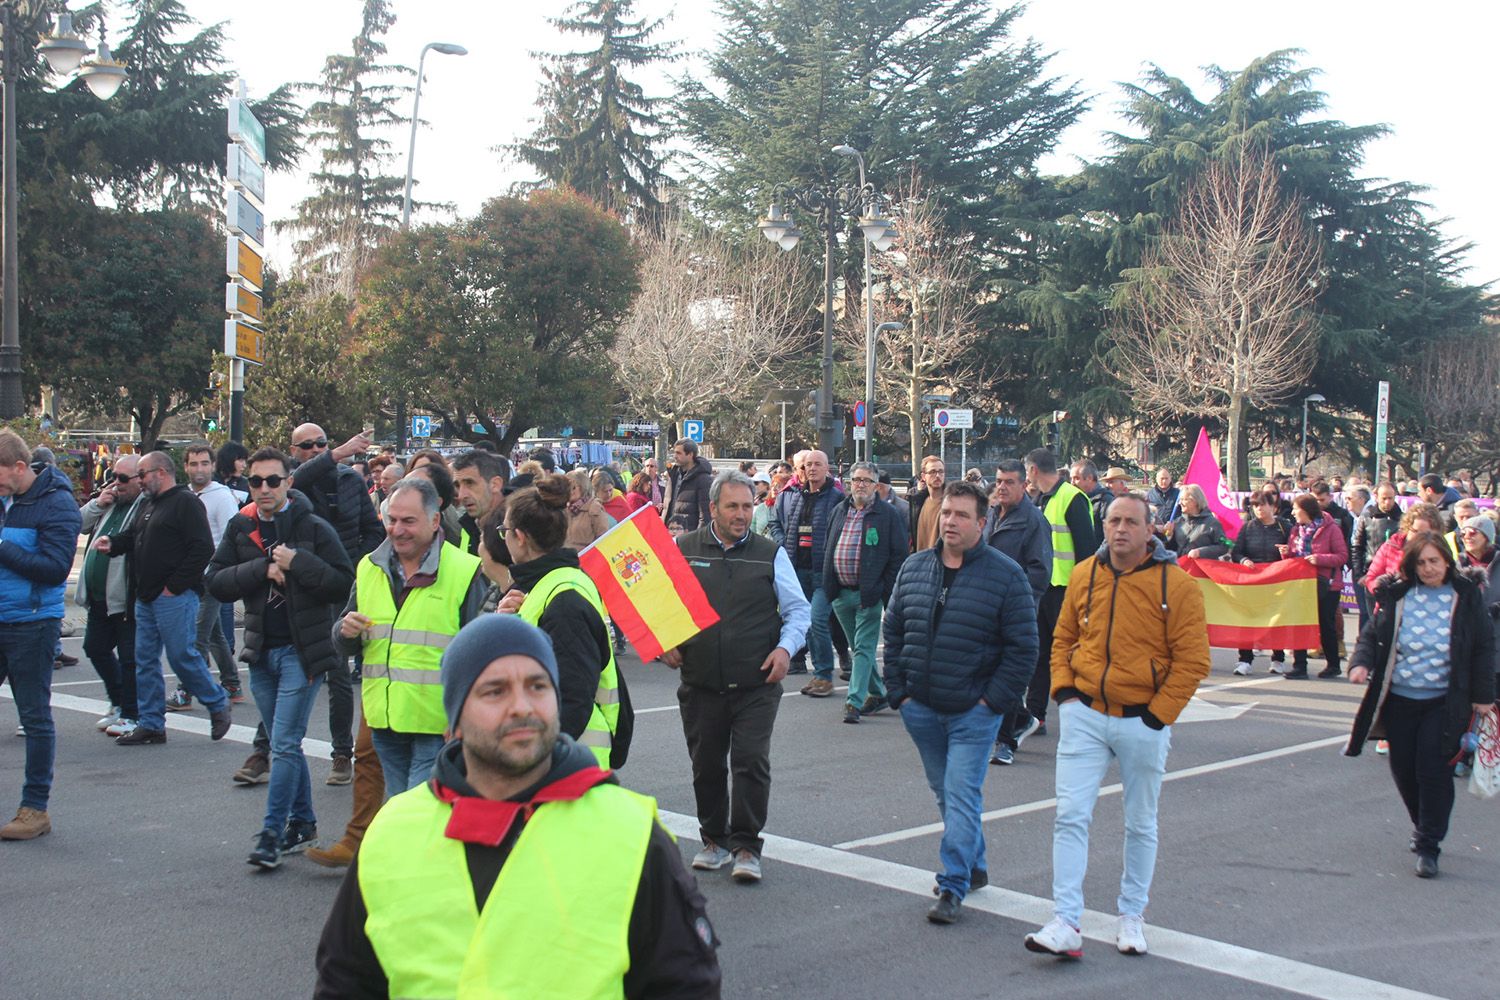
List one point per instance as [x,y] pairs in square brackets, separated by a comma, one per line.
[170,623]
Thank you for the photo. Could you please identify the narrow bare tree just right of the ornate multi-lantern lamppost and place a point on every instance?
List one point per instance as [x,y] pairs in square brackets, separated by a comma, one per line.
[926,283]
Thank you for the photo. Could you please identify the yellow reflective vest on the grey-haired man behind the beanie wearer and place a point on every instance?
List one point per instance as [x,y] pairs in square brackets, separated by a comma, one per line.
[401,687]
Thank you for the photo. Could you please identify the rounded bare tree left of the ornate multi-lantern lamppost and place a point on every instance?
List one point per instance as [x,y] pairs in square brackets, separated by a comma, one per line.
[709,325]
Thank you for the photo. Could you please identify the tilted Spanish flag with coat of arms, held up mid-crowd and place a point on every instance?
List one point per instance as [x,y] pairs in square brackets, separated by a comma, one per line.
[647,585]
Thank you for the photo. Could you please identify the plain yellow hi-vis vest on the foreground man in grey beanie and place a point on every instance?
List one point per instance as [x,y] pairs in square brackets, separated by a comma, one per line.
[556,926]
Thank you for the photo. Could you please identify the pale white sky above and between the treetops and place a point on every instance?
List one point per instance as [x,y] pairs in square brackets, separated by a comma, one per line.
[1429,71]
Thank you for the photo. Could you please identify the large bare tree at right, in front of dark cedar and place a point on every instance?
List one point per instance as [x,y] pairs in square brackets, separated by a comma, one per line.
[1219,317]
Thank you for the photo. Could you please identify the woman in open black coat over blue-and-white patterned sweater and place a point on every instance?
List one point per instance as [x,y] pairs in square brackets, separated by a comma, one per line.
[1429,654]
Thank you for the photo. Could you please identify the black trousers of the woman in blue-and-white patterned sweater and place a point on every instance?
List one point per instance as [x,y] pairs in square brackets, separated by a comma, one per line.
[1423,774]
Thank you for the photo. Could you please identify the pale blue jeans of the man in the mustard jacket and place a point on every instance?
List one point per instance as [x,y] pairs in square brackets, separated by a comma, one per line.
[1088,743]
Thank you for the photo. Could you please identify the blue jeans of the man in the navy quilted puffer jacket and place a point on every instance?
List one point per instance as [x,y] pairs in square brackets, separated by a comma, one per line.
[956,756]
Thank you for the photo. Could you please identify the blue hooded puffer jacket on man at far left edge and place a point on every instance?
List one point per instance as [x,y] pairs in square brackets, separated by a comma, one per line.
[38,542]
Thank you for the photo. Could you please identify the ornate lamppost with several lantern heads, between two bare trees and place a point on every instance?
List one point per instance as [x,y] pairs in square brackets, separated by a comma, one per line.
[832,205]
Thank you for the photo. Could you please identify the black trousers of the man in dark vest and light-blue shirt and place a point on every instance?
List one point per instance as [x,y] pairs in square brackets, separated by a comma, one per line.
[731,732]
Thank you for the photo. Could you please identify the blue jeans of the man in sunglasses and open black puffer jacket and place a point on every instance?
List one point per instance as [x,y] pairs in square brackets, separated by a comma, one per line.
[286,696]
